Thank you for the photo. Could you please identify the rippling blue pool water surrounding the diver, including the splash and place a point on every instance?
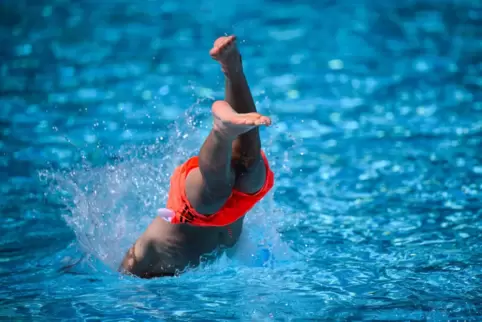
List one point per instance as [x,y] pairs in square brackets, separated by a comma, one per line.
[376,145]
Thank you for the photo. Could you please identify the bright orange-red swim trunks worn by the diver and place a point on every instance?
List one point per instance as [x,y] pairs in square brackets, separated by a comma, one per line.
[236,206]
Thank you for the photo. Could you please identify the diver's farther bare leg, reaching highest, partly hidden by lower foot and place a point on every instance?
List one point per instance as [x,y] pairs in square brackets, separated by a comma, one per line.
[249,167]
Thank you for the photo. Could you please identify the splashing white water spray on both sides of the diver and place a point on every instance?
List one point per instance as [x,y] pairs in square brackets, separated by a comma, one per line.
[108,207]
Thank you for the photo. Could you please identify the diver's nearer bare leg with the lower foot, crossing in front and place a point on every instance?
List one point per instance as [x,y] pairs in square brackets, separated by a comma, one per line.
[209,186]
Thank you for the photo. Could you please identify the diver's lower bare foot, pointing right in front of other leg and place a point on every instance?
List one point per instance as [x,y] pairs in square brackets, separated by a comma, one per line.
[229,123]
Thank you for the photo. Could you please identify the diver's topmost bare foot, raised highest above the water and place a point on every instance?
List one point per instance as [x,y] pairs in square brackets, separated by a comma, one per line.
[227,54]
